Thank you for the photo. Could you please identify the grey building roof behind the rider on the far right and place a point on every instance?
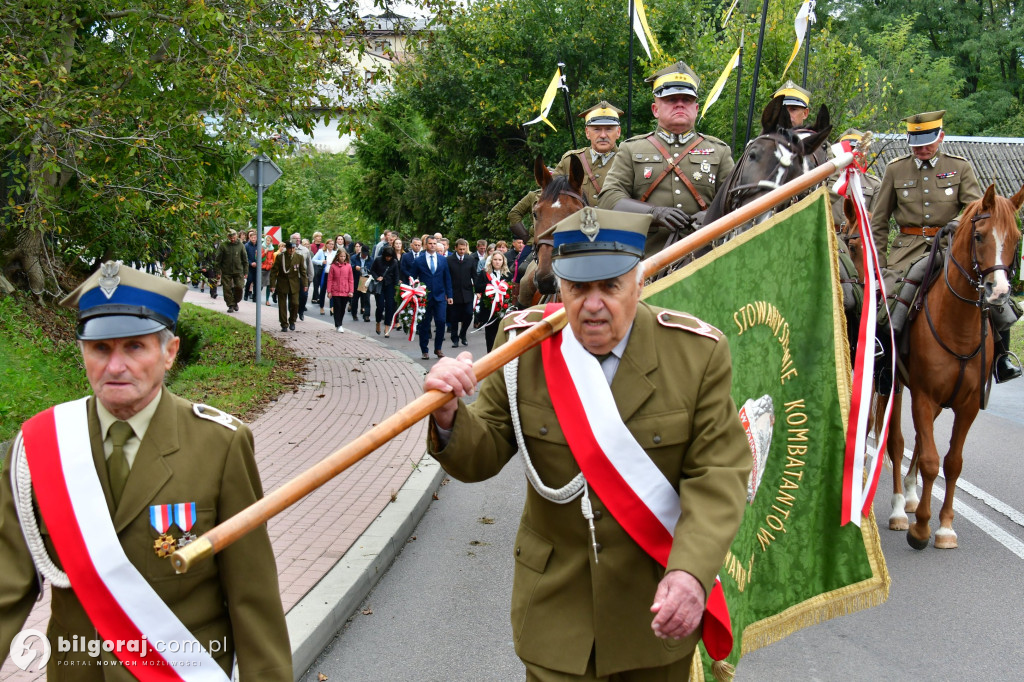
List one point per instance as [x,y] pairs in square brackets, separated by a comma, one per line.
[999,160]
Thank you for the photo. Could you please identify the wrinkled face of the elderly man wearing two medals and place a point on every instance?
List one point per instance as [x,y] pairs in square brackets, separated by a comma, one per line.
[126,374]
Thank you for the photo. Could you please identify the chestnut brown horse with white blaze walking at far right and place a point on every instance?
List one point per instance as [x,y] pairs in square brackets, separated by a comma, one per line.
[950,363]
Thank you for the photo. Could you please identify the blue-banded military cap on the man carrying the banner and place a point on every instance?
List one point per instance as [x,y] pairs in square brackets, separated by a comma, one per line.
[594,244]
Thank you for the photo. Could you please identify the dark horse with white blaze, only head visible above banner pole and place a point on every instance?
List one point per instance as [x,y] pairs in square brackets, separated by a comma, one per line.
[779,155]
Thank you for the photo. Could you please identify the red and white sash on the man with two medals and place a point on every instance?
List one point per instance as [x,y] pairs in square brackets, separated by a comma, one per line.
[118,600]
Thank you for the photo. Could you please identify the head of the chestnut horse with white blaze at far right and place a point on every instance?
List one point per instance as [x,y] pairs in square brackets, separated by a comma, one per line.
[992,243]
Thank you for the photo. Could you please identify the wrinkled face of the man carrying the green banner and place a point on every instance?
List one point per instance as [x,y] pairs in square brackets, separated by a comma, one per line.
[601,314]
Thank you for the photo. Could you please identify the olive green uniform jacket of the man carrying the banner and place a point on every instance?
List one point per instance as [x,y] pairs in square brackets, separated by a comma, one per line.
[672,390]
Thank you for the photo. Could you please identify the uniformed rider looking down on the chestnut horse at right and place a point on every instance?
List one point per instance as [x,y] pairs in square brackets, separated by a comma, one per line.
[923,192]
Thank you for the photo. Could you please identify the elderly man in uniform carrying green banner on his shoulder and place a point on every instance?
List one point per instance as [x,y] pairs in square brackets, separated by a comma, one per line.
[592,595]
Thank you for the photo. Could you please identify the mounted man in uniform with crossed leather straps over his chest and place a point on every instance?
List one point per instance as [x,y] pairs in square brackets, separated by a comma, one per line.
[674,173]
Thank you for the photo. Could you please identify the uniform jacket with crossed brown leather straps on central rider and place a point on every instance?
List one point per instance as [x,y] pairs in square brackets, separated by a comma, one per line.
[639,164]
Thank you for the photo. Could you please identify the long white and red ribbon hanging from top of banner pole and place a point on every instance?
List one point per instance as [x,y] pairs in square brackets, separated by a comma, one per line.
[859,493]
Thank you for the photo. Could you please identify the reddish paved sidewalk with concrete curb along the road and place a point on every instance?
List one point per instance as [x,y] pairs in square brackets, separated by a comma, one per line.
[334,544]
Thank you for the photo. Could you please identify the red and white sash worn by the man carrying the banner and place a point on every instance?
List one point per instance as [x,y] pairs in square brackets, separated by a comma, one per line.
[629,483]
